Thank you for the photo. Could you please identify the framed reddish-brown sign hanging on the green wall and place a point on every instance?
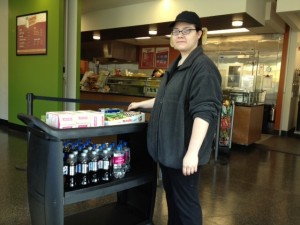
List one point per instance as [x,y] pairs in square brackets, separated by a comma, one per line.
[31,31]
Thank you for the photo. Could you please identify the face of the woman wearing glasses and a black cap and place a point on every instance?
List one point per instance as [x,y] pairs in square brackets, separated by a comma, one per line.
[185,43]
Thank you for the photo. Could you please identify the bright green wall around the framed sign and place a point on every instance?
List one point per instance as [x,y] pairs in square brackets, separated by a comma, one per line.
[37,74]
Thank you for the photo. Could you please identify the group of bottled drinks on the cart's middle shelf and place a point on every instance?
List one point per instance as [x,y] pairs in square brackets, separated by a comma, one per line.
[87,164]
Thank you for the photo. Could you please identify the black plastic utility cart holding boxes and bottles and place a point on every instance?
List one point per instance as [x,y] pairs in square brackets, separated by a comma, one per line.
[46,194]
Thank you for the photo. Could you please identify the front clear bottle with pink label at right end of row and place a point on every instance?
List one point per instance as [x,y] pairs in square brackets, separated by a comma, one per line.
[118,162]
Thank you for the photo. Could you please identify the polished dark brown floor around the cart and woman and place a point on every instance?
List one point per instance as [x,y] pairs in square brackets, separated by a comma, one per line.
[257,184]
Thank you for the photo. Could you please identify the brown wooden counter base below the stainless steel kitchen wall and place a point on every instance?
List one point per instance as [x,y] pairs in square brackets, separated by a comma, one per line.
[247,124]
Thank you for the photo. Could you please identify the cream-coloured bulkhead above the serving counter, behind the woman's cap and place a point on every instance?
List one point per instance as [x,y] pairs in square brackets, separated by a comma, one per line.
[164,11]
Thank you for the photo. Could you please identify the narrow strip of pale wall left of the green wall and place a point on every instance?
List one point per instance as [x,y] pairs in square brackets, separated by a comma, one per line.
[4,60]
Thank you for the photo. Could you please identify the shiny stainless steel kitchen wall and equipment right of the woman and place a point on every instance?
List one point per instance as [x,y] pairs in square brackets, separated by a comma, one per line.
[249,65]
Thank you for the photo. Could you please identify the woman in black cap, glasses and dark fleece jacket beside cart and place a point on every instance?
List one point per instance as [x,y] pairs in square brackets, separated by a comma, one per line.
[183,120]
